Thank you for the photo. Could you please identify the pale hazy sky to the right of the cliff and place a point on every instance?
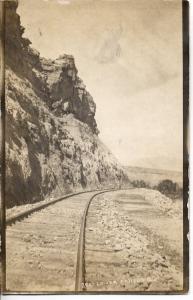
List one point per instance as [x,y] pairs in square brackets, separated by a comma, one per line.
[129,55]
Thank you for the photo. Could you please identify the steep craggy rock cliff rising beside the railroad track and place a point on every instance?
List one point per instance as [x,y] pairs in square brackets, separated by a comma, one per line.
[52,143]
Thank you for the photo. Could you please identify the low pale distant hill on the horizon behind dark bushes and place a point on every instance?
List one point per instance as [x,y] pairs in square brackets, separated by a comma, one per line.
[153,176]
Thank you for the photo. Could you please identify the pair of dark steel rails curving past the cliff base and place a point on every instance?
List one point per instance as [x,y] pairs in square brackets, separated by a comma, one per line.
[79,264]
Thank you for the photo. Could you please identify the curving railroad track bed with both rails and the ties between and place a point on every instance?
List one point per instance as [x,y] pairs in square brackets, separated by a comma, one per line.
[40,218]
